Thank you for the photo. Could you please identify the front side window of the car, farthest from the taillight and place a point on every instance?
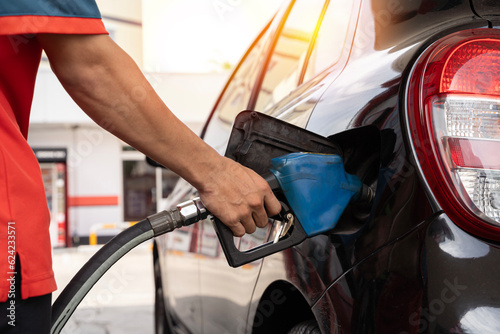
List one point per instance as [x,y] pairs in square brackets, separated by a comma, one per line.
[237,94]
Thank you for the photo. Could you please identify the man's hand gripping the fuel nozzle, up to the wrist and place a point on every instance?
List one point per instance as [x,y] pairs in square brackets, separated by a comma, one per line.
[239,197]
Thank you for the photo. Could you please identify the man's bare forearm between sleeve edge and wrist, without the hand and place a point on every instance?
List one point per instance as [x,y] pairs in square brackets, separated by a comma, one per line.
[106,83]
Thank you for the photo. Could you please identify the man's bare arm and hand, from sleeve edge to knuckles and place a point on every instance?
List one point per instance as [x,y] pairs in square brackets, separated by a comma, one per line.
[107,84]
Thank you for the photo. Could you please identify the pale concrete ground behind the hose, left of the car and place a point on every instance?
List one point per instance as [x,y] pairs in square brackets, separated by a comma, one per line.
[121,302]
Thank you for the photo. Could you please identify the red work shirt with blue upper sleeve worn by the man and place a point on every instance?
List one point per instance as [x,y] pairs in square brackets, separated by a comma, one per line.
[24,215]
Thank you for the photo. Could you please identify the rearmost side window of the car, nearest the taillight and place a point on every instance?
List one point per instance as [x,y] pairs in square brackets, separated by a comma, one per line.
[331,37]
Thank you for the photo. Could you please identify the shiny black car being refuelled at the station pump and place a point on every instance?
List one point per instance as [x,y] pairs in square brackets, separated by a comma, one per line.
[411,92]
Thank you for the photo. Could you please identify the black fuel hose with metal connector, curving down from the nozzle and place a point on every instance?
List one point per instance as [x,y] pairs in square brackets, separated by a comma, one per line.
[184,214]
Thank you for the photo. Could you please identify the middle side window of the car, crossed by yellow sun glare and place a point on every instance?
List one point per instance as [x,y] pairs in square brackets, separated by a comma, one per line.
[284,68]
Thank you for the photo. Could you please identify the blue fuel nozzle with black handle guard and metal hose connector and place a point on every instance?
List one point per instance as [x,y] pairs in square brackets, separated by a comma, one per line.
[328,189]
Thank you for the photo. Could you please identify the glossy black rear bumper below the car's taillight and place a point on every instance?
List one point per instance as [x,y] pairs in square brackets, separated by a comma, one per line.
[435,295]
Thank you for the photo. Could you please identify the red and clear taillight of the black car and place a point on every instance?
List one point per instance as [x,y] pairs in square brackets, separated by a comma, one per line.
[454,120]
